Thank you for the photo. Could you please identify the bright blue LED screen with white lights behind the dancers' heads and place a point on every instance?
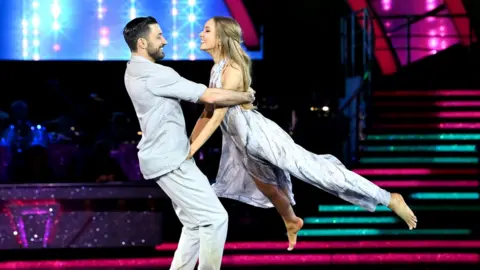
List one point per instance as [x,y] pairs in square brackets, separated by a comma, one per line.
[92,29]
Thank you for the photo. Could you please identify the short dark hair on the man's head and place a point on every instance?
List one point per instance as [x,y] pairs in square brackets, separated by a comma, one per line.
[135,29]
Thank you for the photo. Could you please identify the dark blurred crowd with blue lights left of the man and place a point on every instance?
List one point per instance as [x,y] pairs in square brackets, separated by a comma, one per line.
[75,147]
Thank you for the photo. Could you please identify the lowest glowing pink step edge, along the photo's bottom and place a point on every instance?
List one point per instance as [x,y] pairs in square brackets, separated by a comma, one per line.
[278,260]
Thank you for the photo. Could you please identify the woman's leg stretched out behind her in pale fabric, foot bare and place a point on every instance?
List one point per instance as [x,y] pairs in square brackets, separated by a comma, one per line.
[329,174]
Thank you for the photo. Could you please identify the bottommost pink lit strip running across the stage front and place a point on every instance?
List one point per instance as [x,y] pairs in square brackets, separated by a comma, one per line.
[257,260]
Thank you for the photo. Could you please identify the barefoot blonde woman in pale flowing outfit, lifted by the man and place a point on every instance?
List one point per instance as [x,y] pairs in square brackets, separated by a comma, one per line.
[258,156]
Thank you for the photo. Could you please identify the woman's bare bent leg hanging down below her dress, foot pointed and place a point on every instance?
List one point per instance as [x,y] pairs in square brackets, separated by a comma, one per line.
[281,202]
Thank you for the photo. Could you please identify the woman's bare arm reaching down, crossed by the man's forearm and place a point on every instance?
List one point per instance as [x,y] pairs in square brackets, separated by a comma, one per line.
[231,79]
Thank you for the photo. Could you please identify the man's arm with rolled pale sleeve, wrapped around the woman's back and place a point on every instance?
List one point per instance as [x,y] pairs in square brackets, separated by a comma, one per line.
[166,82]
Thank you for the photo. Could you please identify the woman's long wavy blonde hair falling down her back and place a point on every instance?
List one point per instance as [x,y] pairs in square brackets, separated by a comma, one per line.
[229,34]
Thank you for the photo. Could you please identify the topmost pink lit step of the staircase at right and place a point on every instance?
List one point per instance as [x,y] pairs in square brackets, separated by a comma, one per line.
[424,93]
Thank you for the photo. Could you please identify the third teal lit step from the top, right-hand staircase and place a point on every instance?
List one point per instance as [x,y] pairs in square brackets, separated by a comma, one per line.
[457,160]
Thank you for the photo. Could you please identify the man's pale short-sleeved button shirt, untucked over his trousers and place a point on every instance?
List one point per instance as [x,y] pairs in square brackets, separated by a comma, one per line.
[156,91]
